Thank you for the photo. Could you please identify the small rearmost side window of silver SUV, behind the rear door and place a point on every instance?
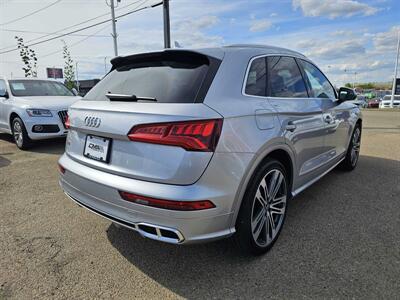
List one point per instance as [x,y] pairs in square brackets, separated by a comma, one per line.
[256,79]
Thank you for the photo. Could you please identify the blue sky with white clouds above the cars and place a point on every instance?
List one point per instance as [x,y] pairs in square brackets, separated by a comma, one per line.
[341,36]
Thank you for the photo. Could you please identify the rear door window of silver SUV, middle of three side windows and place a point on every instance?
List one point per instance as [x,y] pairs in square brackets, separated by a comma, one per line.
[284,78]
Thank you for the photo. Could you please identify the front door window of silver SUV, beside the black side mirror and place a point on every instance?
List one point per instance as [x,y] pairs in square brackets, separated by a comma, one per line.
[320,86]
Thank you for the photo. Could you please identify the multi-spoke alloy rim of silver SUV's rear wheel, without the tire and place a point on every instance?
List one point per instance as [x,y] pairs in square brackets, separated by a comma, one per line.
[269,207]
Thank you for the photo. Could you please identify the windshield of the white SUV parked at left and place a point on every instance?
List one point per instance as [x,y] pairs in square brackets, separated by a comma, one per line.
[25,88]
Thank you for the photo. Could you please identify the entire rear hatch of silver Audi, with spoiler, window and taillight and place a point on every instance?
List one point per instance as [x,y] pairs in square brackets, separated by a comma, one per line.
[146,119]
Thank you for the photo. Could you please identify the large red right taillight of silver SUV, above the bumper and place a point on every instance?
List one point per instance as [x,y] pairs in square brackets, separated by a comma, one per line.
[200,135]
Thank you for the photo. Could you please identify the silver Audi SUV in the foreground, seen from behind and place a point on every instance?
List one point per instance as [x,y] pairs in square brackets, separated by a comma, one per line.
[188,146]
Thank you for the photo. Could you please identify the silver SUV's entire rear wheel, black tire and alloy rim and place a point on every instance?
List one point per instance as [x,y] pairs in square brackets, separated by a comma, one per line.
[263,209]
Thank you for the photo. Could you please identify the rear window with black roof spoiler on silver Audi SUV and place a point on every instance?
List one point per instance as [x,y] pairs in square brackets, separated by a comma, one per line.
[170,78]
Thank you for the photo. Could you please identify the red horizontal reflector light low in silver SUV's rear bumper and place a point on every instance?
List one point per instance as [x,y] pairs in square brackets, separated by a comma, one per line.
[167,204]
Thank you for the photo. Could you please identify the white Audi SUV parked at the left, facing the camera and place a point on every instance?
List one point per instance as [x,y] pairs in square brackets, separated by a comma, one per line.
[33,109]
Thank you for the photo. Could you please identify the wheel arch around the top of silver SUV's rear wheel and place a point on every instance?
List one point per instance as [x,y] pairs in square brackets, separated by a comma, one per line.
[280,152]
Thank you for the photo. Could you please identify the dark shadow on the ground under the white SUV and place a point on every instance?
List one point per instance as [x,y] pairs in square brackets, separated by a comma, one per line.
[51,146]
